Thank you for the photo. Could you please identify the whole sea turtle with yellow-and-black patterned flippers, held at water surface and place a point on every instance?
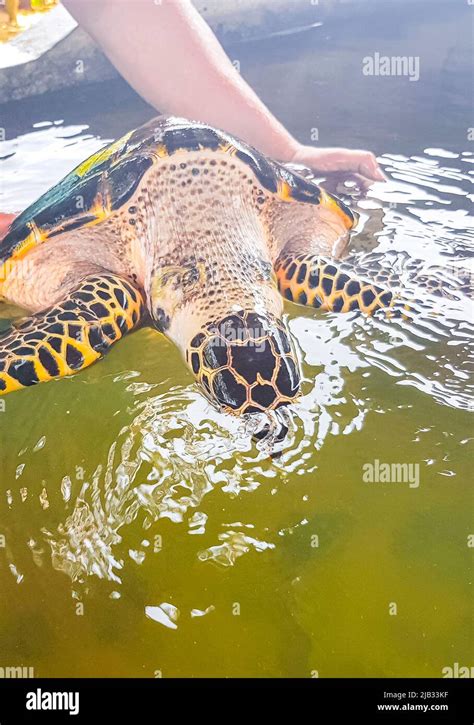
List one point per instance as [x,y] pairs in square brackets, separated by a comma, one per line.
[184,227]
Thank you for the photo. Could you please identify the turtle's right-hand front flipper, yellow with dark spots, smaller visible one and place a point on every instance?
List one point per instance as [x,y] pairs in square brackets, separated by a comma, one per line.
[311,280]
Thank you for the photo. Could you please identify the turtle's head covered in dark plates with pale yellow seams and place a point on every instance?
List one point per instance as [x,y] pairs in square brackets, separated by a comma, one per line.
[245,363]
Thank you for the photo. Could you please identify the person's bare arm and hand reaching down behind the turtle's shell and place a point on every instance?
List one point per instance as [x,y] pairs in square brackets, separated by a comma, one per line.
[168,53]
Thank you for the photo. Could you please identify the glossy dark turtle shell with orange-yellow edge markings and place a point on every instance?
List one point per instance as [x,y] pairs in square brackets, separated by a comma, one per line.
[106,180]
